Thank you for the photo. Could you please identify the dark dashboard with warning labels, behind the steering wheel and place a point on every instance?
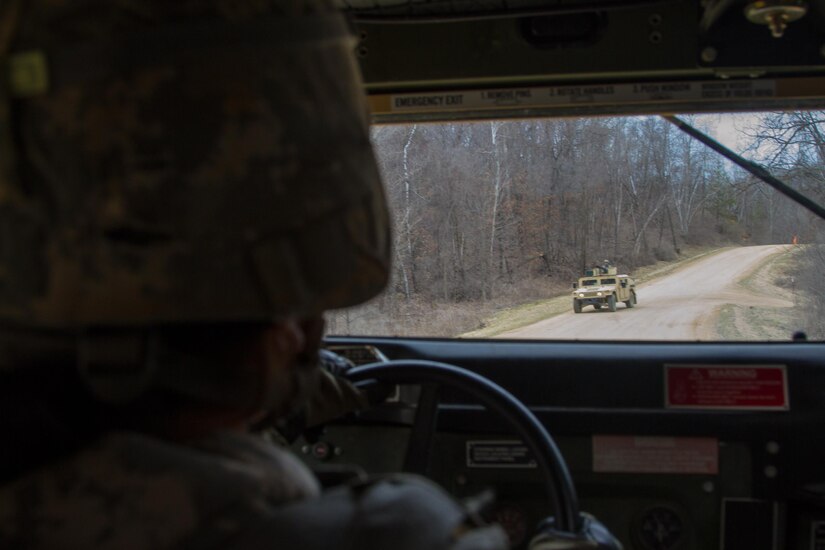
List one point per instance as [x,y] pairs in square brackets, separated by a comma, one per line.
[672,446]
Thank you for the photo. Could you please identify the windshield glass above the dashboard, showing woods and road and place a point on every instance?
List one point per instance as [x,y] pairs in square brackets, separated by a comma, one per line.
[493,221]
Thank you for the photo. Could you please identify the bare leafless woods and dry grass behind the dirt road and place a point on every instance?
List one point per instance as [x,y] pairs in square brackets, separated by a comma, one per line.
[490,215]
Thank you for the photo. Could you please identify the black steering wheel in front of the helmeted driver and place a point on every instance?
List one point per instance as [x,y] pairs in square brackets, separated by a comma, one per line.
[558,484]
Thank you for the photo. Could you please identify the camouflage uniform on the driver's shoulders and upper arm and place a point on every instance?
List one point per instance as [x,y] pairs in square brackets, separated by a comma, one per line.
[230,491]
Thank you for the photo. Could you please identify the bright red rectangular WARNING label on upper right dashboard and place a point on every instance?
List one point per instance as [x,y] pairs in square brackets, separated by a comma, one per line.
[731,387]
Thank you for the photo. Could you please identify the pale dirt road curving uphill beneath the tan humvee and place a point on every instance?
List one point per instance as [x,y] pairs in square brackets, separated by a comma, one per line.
[681,306]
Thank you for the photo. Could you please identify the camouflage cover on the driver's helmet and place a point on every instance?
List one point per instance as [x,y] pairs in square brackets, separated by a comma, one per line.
[193,161]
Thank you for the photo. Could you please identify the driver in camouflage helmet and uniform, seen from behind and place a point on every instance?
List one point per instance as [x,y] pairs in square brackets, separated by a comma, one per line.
[185,187]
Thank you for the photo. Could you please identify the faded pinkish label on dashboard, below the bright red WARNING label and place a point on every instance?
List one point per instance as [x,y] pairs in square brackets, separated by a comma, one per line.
[655,455]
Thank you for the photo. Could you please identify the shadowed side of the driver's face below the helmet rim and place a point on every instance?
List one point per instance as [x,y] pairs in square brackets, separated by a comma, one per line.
[288,359]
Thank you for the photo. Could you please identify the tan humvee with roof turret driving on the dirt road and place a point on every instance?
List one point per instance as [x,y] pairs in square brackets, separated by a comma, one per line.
[603,286]
